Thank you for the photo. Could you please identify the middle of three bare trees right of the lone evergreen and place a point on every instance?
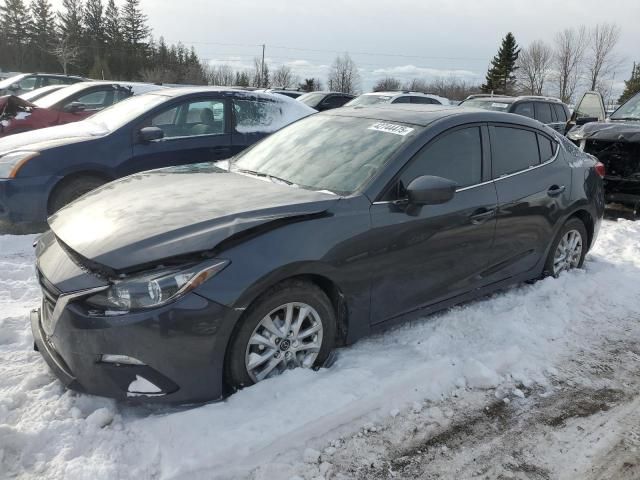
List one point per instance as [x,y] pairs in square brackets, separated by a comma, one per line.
[568,60]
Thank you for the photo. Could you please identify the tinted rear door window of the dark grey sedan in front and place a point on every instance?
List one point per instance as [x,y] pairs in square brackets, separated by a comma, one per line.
[512,150]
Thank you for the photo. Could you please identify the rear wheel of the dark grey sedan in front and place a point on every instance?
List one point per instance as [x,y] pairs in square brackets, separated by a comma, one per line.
[568,249]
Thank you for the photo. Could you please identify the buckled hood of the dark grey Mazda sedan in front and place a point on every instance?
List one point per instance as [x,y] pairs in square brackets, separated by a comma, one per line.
[164,213]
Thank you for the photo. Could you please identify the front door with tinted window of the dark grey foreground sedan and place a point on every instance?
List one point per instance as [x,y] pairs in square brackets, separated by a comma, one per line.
[424,255]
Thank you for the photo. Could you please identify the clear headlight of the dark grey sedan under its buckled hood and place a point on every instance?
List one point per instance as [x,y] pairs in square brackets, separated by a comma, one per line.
[154,288]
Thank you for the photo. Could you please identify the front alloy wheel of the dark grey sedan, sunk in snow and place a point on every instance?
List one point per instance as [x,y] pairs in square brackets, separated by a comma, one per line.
[289,336]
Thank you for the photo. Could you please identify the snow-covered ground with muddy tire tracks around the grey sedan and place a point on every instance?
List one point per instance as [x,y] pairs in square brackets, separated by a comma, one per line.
[540,381]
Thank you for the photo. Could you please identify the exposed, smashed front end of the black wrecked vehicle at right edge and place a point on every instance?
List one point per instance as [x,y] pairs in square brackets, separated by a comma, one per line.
[621,159]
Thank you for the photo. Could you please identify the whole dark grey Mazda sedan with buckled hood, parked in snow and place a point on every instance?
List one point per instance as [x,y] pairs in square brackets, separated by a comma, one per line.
[183,284]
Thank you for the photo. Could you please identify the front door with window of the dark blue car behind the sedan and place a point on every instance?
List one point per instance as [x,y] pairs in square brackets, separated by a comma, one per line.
[195,130]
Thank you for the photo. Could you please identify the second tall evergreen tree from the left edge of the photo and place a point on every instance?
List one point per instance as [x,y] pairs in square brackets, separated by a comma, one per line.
[42,35]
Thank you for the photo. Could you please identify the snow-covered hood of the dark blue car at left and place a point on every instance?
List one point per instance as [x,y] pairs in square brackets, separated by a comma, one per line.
[44,138]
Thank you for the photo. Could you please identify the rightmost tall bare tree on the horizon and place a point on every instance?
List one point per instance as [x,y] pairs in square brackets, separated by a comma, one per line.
[601,59]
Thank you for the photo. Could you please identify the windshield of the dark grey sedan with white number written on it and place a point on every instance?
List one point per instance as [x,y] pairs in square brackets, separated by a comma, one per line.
[325,152]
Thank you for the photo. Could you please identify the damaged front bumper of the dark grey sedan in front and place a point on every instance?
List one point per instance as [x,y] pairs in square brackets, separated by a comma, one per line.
[181,348]
